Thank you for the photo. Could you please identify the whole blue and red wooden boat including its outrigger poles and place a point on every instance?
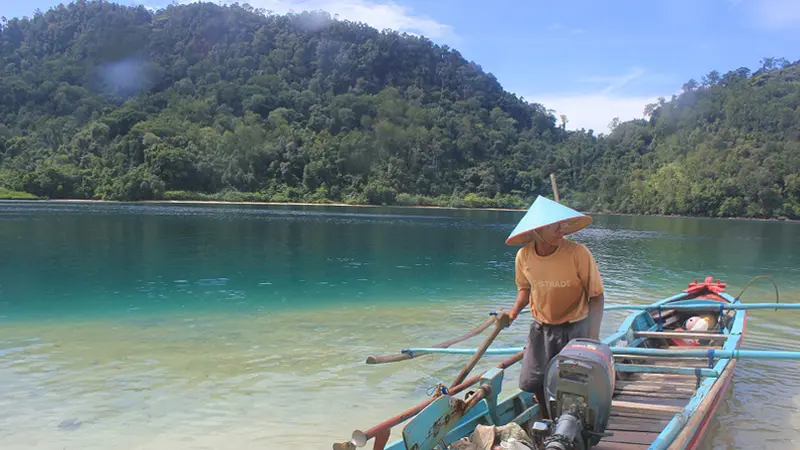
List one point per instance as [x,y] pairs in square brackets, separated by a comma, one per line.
[664,383]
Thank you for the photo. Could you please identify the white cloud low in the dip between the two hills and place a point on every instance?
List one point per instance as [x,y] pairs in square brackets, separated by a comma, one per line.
[596,109]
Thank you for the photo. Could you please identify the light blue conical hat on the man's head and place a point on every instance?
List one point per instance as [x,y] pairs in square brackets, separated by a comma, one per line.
[545,212]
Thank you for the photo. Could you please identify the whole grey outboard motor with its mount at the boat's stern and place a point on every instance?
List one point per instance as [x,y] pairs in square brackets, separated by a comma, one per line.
[579,384]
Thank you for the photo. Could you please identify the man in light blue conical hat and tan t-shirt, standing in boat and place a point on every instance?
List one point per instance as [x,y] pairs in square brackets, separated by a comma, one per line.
[559,280]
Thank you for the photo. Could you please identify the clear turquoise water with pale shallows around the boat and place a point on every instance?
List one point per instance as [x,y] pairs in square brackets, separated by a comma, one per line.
[197,326]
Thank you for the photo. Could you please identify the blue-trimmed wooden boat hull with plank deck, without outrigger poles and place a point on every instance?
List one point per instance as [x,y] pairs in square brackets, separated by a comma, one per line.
[660,402]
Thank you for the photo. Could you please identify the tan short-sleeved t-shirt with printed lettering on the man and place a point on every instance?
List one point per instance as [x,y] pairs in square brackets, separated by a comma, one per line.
[557,281]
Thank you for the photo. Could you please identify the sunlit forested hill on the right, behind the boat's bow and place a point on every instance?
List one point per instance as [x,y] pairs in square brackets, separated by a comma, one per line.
[727,146]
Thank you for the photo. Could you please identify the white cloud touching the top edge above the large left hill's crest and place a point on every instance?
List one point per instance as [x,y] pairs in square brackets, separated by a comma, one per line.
[376,13]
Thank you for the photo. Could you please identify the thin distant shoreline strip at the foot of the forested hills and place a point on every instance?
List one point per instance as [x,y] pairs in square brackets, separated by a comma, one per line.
[351,205]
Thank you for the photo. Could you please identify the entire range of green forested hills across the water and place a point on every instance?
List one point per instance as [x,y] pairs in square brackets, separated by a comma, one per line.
[105,101]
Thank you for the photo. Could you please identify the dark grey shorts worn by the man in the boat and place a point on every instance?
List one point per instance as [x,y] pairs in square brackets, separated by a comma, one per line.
[544,343]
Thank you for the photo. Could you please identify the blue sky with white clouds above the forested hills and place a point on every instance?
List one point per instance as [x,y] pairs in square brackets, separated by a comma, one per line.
[591,60]
